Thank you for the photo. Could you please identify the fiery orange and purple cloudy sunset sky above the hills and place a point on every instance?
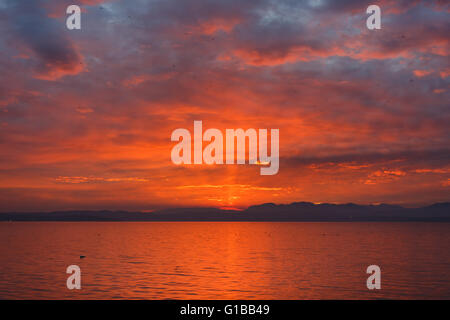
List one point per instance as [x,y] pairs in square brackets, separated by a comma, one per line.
[86,115]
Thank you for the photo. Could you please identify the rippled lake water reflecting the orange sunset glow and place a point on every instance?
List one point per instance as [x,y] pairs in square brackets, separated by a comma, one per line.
[230,260]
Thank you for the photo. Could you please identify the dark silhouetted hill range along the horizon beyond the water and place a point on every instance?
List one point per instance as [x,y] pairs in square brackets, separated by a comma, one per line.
[297,211]
